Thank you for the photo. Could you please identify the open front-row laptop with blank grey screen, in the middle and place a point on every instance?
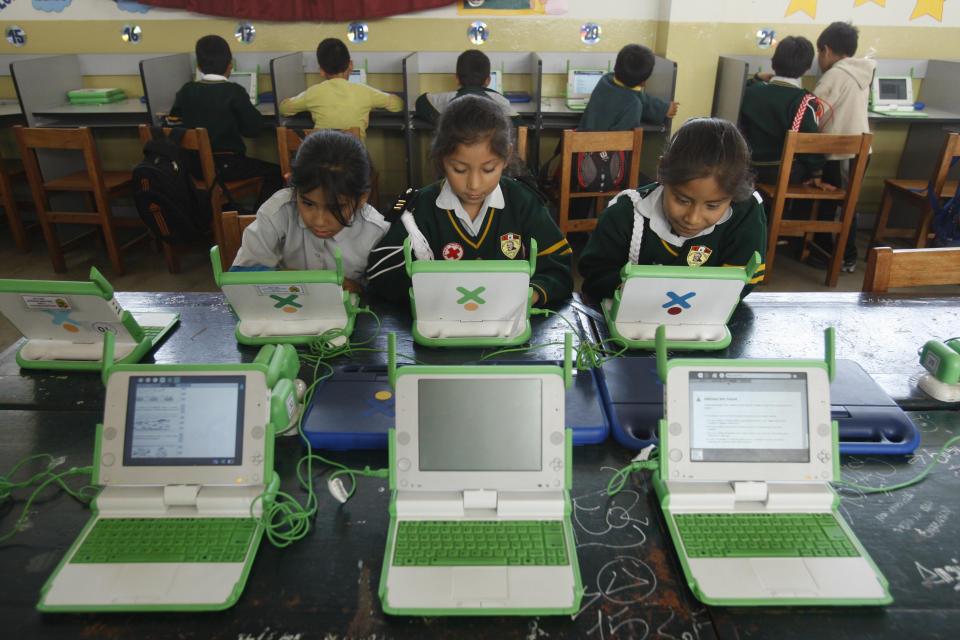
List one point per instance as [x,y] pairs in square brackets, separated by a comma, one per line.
[480,505]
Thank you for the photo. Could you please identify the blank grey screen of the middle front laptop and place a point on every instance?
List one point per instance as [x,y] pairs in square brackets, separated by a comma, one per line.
[479,425]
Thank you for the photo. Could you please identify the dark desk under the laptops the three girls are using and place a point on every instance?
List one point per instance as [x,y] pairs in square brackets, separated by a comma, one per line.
[880,331]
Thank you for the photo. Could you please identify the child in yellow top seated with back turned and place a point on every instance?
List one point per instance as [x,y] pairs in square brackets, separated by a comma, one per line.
[337,103]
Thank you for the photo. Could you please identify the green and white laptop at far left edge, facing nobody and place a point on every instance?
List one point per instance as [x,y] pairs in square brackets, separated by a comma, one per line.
[64,323]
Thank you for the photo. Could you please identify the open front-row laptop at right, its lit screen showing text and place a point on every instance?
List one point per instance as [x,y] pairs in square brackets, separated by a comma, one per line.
[748,451]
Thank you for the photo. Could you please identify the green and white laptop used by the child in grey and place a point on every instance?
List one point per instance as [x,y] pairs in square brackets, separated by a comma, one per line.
[287,306]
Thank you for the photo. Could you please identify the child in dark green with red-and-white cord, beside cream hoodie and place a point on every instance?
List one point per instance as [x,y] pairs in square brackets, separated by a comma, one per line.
[776,103]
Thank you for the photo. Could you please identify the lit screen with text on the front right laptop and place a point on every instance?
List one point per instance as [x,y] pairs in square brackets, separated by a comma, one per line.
[745,416]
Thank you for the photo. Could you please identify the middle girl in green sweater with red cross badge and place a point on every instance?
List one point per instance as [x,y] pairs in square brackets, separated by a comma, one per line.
[475,213]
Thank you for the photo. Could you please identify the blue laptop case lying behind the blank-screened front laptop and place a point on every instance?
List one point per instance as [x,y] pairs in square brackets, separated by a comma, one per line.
[354,408]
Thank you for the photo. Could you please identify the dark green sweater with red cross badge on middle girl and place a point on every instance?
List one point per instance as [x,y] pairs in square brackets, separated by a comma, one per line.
[523,215]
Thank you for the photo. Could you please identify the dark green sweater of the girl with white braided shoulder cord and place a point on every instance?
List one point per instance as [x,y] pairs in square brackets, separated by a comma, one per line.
[731,243]
